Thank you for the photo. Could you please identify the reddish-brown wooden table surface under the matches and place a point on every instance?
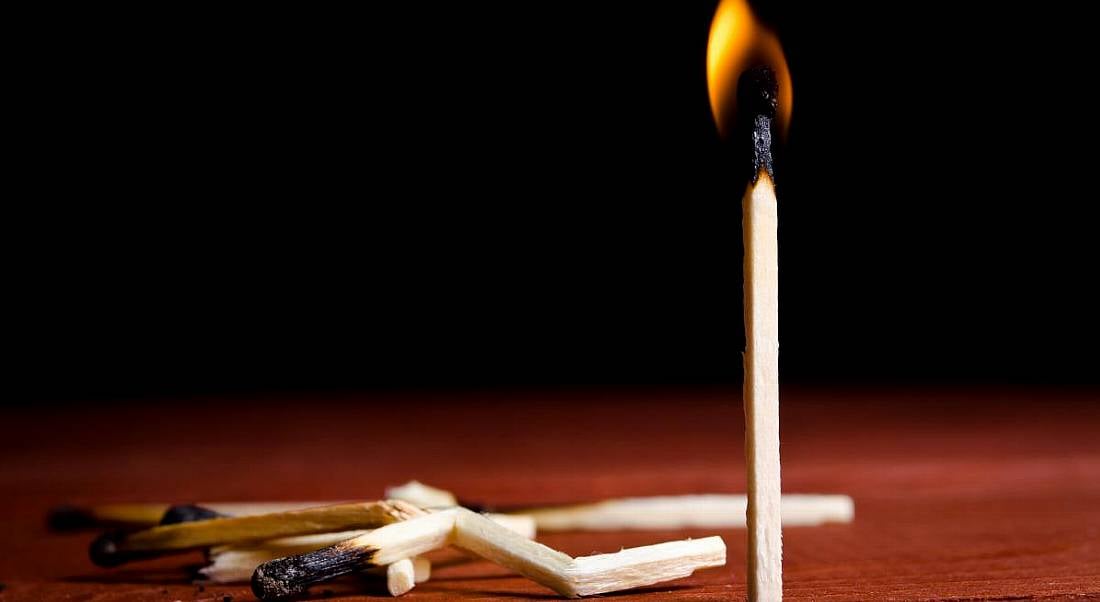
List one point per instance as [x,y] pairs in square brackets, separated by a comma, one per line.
[961,495]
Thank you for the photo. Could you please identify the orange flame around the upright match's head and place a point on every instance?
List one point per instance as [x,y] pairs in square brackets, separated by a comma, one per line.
[739,42]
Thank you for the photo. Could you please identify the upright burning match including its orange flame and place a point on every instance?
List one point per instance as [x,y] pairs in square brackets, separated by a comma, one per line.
[743,52]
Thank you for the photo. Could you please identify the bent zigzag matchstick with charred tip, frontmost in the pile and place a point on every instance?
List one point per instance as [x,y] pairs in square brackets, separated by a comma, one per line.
[628,570]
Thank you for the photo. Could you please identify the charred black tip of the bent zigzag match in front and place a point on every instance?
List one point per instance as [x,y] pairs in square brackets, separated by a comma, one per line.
[289,577]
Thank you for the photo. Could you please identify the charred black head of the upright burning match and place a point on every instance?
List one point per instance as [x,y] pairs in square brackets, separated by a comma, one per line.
[757,105]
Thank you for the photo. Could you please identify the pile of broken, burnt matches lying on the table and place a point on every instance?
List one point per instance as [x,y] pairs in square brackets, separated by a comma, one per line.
[285,548]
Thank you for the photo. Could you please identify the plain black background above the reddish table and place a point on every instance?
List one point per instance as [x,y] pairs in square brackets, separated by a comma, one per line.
[212,202]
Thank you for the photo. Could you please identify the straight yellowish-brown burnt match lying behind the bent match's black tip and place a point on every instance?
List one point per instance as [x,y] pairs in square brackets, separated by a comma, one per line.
[116,549]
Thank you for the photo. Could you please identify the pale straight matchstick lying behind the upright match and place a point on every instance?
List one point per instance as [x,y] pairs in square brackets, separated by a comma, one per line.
[680,512]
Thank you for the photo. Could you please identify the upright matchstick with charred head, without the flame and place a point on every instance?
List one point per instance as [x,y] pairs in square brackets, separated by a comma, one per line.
[758,98]
